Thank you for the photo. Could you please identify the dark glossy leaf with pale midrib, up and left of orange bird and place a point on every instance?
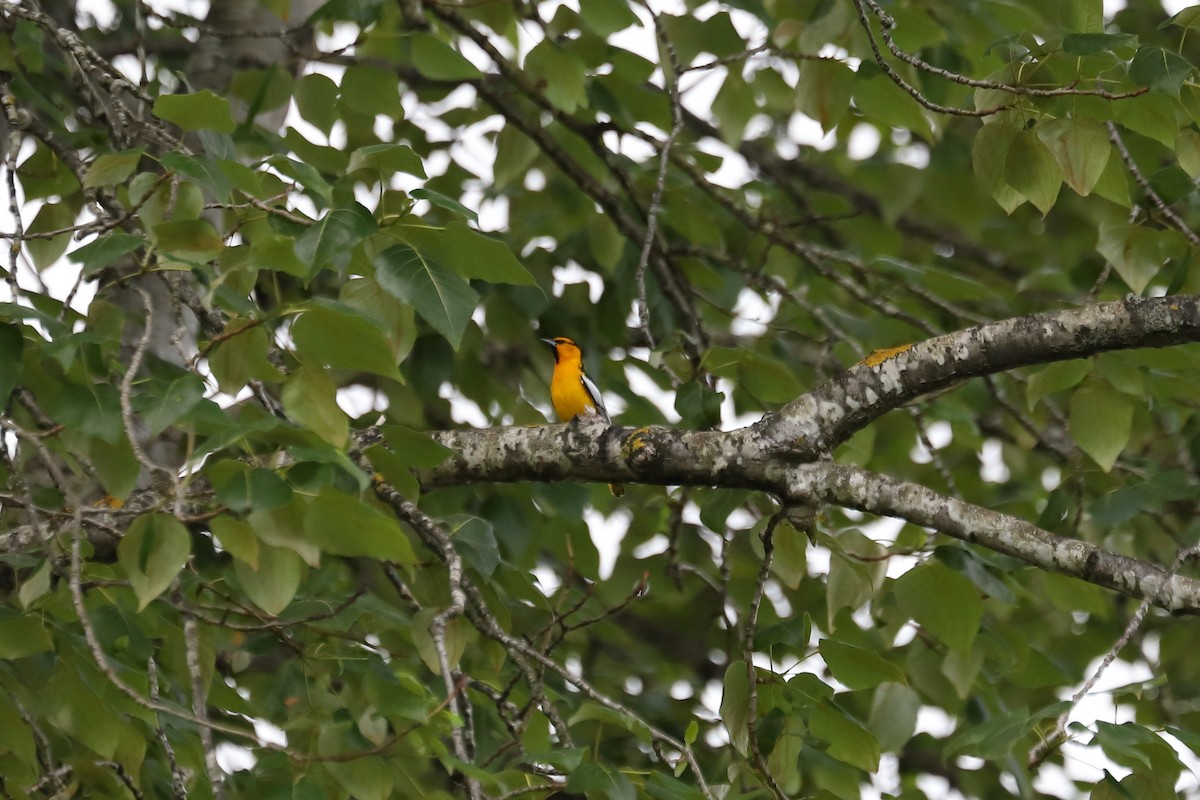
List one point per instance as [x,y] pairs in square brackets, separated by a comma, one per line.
[443,299]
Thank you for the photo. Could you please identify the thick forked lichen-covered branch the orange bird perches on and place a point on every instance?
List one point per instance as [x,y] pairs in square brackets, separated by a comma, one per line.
[785,454]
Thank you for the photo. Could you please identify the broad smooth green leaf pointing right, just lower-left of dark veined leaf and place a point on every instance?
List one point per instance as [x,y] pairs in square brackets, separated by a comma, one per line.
[344,339]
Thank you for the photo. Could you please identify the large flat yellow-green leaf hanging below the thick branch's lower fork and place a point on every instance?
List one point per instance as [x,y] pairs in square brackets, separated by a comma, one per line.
[944,603]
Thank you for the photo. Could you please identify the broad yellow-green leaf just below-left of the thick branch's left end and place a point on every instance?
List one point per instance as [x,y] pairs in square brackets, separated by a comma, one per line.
[343,525]
